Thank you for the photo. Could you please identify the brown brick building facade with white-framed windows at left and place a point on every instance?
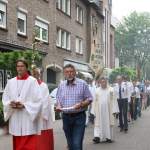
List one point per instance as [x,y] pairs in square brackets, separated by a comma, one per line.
[64,30]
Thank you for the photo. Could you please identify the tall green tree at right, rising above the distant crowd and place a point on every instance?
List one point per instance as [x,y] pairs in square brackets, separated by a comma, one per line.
[132,40]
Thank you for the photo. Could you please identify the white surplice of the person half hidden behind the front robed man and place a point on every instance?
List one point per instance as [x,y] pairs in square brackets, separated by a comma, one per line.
[46,107]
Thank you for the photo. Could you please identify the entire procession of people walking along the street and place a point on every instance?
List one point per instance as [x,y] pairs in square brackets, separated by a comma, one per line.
[28,107]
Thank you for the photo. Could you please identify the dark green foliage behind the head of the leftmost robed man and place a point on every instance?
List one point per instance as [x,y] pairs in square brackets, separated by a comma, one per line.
[8,59]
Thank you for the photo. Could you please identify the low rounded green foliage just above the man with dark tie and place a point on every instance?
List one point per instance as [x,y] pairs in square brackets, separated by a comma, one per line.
[125,71]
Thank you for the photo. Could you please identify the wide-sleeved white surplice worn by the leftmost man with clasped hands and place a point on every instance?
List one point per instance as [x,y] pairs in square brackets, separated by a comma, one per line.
[25,121]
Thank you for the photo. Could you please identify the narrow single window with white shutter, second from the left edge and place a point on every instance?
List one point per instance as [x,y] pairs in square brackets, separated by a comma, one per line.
[22,23]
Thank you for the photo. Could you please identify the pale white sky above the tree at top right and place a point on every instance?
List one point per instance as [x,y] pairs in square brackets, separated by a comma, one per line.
[123,8]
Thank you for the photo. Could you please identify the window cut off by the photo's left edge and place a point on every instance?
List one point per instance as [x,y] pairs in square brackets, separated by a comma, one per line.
[2,15]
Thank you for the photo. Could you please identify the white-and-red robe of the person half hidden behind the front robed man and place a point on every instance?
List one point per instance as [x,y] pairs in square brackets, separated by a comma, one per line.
[45,140]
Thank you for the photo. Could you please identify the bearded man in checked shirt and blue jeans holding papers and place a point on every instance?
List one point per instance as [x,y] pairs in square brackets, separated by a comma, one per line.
[73,97]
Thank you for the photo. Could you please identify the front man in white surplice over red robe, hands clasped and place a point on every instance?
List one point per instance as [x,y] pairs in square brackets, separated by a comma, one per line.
[22,104]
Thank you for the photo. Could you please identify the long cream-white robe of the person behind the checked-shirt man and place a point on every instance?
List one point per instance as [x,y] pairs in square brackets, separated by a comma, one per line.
[105,105]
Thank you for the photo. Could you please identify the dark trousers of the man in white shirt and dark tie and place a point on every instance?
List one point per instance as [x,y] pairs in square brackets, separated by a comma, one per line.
[123,109]
